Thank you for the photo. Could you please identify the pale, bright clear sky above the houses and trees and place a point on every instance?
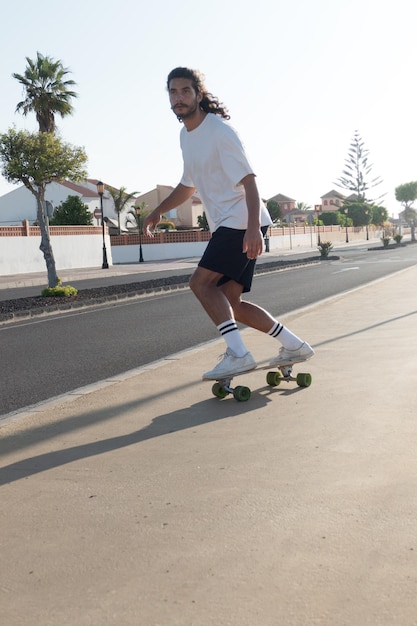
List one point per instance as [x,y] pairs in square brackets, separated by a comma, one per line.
[298,78]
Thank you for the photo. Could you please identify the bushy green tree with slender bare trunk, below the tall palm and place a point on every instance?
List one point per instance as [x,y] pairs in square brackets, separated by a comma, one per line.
[37,159]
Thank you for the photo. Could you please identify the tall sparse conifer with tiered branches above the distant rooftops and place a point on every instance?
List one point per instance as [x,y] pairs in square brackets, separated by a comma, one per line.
[355,176]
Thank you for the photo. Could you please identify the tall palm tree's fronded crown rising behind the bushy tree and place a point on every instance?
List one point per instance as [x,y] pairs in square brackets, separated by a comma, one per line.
[46,91]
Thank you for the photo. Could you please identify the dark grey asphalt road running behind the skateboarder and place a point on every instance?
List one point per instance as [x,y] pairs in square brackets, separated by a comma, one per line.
[46,357]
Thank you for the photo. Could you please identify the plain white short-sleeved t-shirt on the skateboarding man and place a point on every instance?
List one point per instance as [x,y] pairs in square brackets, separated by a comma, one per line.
[214,163]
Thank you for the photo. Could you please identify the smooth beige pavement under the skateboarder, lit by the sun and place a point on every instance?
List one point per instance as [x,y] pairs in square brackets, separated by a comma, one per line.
[145,501]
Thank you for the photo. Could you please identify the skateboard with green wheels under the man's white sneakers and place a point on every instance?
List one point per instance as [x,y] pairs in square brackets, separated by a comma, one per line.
[222,387]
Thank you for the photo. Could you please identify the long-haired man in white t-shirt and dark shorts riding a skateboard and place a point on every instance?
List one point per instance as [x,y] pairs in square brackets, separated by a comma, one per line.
[216,166]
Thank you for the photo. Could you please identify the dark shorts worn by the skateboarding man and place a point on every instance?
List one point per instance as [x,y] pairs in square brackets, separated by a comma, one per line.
[224,255]
